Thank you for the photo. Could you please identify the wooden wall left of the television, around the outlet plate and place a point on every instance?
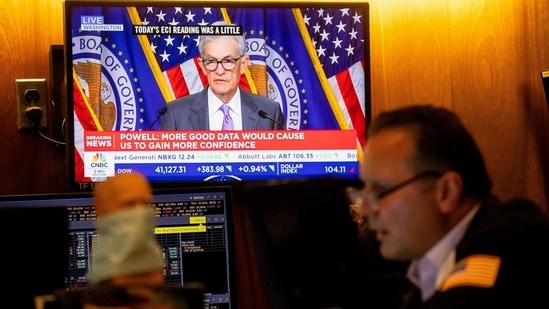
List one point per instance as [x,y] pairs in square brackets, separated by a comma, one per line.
[28,163]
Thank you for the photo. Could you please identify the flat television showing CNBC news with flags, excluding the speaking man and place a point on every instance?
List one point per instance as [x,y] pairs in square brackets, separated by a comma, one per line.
[125,60]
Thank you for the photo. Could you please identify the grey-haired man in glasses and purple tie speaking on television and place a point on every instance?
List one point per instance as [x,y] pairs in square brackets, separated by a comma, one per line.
[223,105]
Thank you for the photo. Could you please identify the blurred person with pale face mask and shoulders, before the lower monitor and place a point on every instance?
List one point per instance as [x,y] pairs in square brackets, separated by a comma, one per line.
[127,265]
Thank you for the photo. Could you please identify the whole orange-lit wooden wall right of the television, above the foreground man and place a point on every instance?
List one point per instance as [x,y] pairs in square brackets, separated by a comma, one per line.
[481,59]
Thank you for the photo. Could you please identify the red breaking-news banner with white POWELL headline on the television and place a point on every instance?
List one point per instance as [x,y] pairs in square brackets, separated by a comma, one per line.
[130,141]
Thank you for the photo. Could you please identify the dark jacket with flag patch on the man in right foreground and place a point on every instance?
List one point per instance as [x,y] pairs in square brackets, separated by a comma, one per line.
[518,233]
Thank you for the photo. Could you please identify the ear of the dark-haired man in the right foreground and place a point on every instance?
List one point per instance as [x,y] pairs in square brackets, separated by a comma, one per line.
[449,191]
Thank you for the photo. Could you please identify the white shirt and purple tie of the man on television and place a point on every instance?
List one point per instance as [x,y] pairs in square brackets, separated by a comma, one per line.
[216,115]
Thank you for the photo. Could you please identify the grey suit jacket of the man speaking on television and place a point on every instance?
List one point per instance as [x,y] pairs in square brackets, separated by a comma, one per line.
[191,113]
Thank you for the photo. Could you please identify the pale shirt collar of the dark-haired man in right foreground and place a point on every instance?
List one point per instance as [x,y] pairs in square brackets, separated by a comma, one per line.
[428,272]
